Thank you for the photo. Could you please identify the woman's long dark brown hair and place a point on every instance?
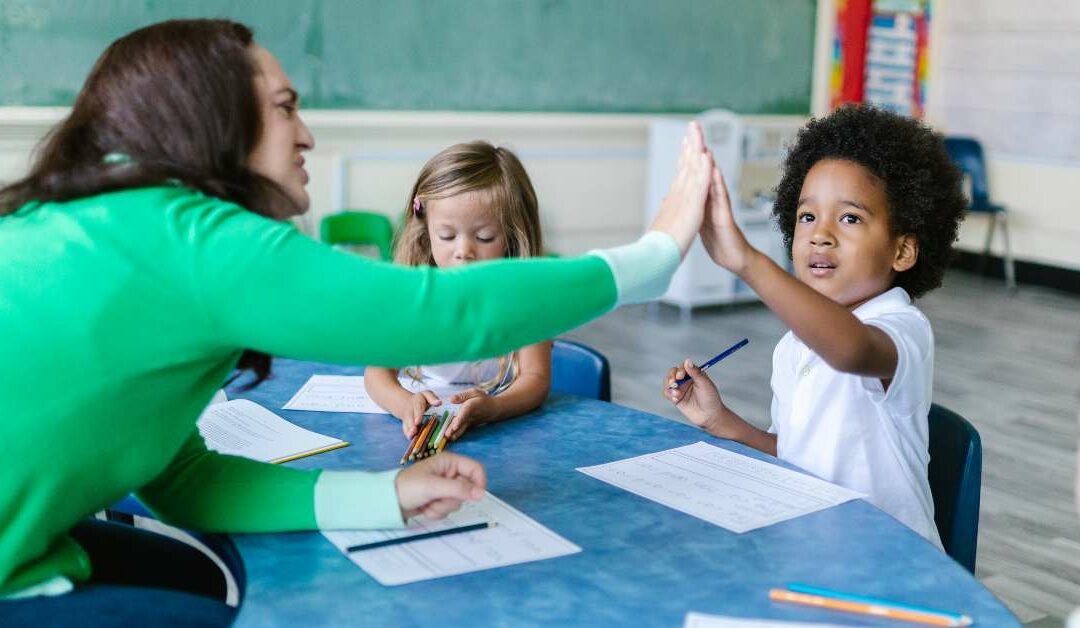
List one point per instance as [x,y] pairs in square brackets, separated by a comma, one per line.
[175,102]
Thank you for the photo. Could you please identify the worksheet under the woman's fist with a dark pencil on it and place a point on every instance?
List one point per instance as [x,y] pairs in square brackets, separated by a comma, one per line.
[516,539]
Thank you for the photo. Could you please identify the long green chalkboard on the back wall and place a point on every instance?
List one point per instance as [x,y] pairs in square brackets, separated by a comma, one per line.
[753,57]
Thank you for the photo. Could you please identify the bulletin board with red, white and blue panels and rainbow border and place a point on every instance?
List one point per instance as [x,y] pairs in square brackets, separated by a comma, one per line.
[880,55]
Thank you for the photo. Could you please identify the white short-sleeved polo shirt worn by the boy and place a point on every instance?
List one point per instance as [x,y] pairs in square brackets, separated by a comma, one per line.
[849,431]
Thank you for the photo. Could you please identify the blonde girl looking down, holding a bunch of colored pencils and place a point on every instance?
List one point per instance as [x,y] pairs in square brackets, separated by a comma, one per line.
[472,203]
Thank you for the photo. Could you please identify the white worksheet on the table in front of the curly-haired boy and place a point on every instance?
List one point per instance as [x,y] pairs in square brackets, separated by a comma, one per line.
[726,489]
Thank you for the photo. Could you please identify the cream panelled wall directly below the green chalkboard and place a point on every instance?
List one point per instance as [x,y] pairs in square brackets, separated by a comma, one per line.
[589,170]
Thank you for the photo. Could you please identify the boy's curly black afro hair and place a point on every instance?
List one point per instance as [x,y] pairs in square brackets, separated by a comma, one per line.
[922,184]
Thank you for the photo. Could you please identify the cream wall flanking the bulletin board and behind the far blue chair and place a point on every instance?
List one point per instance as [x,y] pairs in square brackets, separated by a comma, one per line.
[1045,222]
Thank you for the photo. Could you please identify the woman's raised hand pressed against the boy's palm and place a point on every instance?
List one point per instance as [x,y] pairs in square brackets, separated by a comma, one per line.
[683,210]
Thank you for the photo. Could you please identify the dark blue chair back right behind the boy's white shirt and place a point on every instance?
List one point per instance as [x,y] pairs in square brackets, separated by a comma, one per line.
[956,477]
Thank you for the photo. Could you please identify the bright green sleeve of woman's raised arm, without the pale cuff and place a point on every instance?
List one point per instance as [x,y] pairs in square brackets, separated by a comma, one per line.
[269,288]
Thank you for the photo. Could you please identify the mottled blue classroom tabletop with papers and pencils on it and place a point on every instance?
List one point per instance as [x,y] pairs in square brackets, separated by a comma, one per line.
[642,565]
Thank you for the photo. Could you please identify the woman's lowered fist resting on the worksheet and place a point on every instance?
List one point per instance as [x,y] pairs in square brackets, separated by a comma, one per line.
[438,486]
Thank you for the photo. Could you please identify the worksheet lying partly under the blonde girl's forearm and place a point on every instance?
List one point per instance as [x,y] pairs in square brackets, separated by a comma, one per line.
[348,394]
